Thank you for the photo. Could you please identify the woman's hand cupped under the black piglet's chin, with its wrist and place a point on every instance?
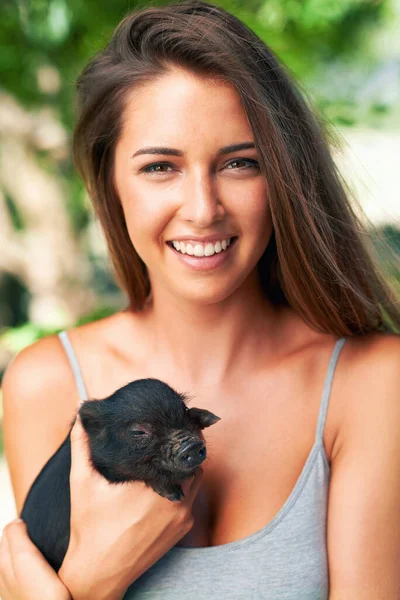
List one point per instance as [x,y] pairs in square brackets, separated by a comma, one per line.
[117,530]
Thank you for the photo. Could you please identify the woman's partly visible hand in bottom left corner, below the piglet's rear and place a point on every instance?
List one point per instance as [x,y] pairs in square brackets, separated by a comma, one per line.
[24,572]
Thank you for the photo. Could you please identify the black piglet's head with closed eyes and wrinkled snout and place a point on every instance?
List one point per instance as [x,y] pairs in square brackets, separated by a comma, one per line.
[145,430]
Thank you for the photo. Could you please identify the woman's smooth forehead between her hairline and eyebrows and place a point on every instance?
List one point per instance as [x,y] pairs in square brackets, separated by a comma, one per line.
[184,110]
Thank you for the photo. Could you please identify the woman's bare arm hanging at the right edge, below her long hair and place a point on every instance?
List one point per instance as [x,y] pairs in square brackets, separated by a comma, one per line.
[364,499]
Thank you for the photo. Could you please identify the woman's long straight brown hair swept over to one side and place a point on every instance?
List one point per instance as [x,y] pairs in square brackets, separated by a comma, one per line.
[319,259]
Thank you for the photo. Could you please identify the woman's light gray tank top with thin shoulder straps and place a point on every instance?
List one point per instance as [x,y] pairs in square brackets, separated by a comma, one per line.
[285,560]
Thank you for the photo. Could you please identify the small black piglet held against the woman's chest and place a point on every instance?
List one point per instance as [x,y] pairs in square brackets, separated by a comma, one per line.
[142,432]
